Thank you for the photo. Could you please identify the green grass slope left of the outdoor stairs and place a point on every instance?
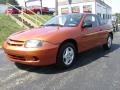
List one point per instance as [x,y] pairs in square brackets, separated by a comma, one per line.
[7,27]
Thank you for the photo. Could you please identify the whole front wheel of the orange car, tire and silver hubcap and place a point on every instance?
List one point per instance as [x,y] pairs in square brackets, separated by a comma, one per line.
[66,56]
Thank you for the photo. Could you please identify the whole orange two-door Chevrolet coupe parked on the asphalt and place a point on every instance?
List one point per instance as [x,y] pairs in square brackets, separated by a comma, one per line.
[59,40]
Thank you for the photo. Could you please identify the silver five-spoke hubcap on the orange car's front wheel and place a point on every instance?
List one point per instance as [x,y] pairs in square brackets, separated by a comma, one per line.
[68,55]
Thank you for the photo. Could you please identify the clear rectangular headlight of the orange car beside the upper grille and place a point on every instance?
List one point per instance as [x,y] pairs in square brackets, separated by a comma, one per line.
[33,43]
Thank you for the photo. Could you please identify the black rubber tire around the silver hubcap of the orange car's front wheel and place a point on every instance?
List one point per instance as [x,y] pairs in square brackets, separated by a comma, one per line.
[60,63]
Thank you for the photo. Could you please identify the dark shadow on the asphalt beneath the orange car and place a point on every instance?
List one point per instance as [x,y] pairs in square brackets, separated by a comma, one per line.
[84,58]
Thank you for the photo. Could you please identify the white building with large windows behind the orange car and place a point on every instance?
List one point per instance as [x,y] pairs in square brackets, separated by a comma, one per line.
[95,6]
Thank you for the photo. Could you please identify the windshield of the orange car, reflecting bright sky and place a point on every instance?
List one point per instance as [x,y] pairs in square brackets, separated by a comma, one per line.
[64,20]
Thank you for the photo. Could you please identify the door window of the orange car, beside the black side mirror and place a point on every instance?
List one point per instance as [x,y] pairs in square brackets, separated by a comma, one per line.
[92,19]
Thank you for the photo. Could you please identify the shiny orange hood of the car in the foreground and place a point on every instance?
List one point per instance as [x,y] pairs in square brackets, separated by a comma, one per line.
[42,33]
